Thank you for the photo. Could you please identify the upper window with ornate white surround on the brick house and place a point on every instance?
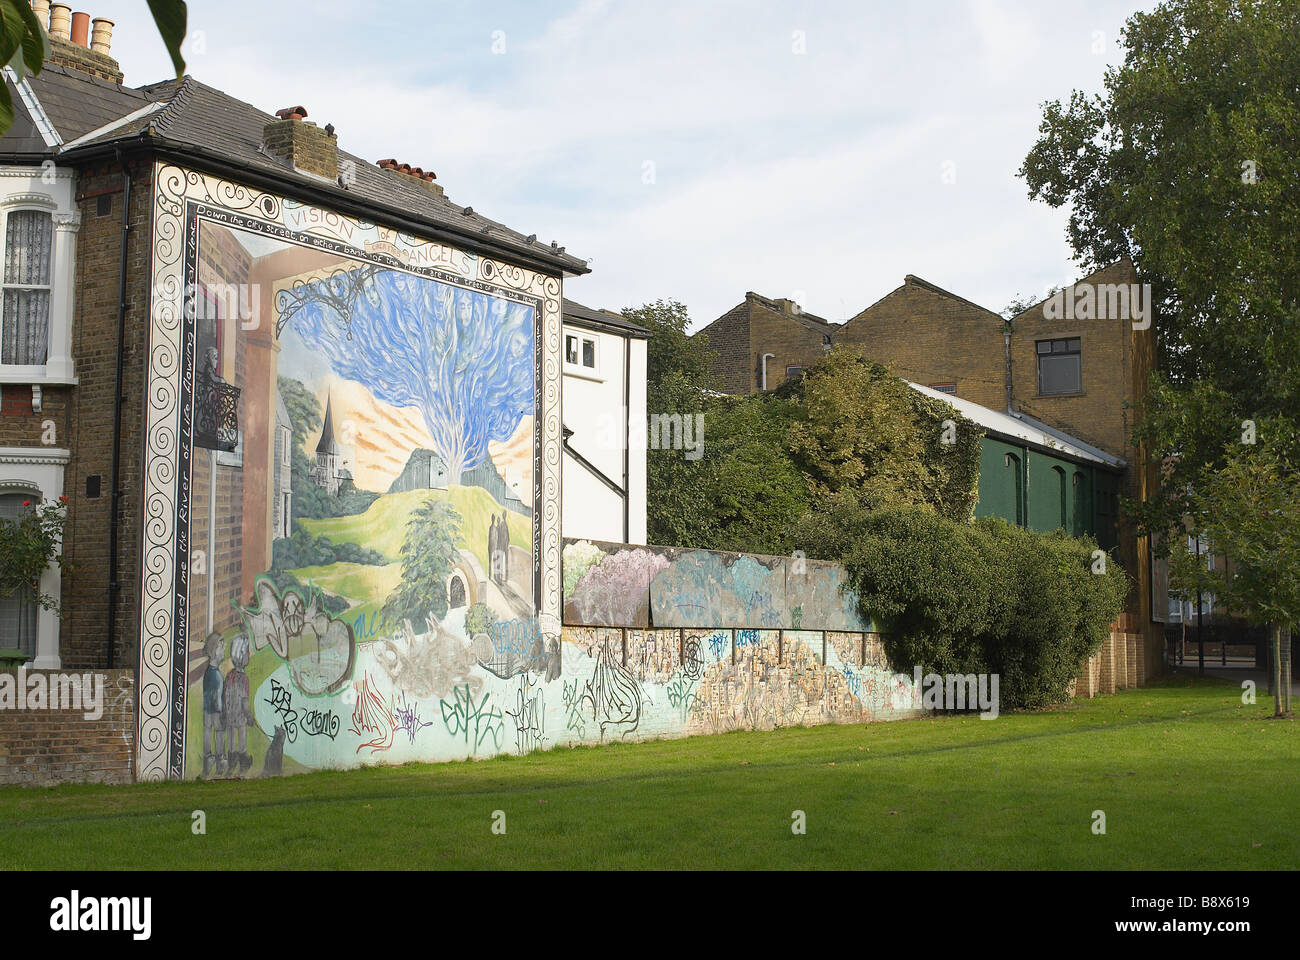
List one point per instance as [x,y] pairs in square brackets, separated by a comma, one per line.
[38,250]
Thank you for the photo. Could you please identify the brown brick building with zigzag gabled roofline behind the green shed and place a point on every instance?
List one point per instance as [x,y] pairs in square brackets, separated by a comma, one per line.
[1074,366]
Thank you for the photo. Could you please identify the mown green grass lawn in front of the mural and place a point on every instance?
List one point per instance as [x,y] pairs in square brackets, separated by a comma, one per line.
[1189,779]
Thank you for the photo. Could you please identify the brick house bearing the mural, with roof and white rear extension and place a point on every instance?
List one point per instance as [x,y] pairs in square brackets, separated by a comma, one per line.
[310,418]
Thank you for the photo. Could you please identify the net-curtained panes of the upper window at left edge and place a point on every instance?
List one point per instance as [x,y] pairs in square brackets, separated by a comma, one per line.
[25,318]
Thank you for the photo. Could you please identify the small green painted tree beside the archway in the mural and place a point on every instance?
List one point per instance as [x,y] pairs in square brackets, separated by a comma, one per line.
[428,556]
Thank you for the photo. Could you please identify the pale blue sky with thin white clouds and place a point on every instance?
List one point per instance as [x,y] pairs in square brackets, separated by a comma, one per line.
[694,150]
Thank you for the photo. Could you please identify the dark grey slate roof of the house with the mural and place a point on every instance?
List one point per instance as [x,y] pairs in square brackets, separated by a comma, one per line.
[203,123]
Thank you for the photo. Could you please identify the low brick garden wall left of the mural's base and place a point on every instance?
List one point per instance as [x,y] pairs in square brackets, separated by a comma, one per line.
[41,749]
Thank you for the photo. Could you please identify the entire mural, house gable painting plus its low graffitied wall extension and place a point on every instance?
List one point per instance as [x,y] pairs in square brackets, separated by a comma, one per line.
[352,531]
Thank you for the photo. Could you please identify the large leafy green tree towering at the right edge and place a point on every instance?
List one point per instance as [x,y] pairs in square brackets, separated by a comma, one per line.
[1188,166]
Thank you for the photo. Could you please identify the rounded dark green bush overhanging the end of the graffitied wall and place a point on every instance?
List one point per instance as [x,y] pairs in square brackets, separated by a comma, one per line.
[976,598]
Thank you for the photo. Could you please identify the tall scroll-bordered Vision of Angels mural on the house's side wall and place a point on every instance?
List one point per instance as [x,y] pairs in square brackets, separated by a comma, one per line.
[352,491]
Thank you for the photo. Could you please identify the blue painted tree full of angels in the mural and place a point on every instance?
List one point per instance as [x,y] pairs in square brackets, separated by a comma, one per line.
[462,358]
